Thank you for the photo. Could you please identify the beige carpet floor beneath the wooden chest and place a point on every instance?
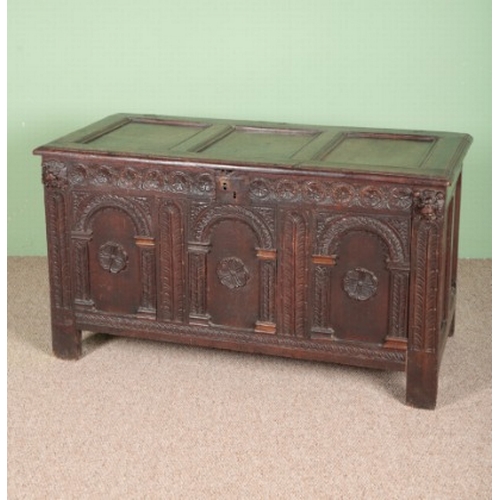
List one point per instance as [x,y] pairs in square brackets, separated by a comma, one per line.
[138,419]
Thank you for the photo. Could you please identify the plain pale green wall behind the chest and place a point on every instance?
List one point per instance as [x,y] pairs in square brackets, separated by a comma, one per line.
[415,64]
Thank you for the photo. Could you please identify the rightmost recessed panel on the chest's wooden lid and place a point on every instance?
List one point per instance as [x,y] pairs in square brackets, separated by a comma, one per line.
[381,150]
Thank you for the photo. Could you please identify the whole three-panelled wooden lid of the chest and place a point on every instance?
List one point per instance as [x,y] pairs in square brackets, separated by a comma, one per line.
[436,155]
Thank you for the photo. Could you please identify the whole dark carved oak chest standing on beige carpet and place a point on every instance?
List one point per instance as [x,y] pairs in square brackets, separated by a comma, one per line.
[323,243]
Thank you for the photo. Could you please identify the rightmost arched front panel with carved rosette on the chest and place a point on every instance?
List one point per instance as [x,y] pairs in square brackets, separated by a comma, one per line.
[361,278]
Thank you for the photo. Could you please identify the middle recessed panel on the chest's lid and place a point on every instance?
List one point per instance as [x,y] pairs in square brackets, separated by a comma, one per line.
[262,143]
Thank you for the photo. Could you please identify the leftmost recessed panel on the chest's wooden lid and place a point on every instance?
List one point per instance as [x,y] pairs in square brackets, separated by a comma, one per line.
[143,137]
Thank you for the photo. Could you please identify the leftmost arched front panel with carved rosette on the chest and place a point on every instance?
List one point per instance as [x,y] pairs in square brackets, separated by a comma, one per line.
[114,258]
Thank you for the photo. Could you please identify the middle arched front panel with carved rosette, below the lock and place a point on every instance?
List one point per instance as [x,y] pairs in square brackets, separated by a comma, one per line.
[231,267]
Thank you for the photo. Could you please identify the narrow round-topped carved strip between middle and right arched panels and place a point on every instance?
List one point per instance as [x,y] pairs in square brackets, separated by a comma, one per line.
[293,268]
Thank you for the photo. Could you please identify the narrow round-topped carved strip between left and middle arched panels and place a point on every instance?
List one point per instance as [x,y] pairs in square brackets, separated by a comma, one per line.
[171,279]
